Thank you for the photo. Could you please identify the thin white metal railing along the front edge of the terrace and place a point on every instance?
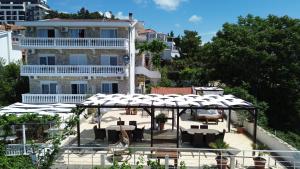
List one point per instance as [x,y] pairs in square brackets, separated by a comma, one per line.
[89,157]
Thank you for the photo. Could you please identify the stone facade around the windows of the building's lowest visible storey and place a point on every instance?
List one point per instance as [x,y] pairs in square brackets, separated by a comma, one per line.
[64,84]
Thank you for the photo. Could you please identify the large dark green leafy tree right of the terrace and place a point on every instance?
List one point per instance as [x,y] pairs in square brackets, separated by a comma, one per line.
[263,53]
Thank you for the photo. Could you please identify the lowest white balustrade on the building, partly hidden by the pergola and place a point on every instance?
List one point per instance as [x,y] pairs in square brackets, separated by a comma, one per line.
[53,98]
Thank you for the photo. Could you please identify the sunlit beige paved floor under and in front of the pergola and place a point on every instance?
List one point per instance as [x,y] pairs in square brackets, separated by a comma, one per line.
[90,157]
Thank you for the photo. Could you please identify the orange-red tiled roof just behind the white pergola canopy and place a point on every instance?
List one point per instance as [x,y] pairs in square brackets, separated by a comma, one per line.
[172,90]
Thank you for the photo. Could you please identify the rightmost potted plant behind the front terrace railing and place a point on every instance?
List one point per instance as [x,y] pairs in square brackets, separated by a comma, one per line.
[259,161]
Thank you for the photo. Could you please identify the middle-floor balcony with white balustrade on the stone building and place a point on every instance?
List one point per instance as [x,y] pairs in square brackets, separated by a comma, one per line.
[73,70]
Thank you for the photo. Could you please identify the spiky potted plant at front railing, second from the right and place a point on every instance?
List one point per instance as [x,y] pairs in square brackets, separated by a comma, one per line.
[221,159]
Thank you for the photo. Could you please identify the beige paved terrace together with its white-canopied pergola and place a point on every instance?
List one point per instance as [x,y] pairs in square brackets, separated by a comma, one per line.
[166,144]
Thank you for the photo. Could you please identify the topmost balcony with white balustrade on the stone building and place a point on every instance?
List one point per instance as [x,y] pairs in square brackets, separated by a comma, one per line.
[73,43]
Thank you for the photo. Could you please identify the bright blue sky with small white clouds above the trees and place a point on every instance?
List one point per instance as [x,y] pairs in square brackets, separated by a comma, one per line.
[204,16]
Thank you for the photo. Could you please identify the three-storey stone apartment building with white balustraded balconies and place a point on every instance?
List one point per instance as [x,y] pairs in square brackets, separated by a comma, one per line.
[68,60]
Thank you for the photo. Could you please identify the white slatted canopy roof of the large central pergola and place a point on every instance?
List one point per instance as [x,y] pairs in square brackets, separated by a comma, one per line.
[166,101]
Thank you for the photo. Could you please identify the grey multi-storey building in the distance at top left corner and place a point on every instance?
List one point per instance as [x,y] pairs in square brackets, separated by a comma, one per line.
[21,10]
